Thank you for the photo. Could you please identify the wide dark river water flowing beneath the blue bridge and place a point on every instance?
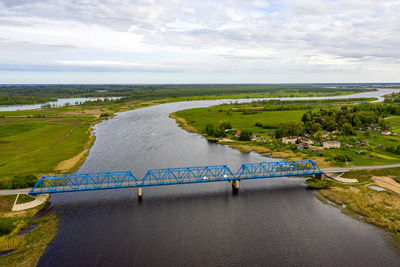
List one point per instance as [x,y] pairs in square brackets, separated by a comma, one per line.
[270,222]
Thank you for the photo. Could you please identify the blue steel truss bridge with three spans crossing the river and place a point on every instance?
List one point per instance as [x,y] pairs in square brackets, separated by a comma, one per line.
[173,176]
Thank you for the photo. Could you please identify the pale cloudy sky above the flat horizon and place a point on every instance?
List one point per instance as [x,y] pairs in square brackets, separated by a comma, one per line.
[220,41]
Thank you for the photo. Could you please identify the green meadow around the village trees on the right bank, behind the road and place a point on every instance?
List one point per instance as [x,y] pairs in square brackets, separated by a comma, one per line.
[248,116]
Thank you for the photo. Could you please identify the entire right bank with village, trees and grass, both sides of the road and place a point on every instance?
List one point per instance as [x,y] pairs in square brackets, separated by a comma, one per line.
[367,134]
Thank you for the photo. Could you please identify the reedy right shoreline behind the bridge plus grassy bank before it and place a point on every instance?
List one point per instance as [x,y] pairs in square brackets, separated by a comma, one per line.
[380,208]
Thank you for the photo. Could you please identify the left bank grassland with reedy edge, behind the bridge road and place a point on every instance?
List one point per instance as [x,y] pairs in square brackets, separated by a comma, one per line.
[54,140]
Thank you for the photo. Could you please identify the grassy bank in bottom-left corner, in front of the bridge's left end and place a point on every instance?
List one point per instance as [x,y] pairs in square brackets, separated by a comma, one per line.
[22,238]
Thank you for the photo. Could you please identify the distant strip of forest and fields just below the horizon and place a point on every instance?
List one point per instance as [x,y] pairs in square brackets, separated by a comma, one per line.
[32,94]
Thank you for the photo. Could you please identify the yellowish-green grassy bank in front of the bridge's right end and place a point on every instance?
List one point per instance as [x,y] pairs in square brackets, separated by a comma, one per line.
[381,208]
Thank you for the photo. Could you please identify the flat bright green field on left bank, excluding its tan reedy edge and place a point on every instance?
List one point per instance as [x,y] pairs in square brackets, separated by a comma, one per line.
[33,145]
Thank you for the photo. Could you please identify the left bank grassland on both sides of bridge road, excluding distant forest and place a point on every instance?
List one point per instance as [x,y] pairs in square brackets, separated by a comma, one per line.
[35,143]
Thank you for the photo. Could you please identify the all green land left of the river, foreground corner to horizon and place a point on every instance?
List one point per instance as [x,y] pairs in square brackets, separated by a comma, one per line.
[57,140]
